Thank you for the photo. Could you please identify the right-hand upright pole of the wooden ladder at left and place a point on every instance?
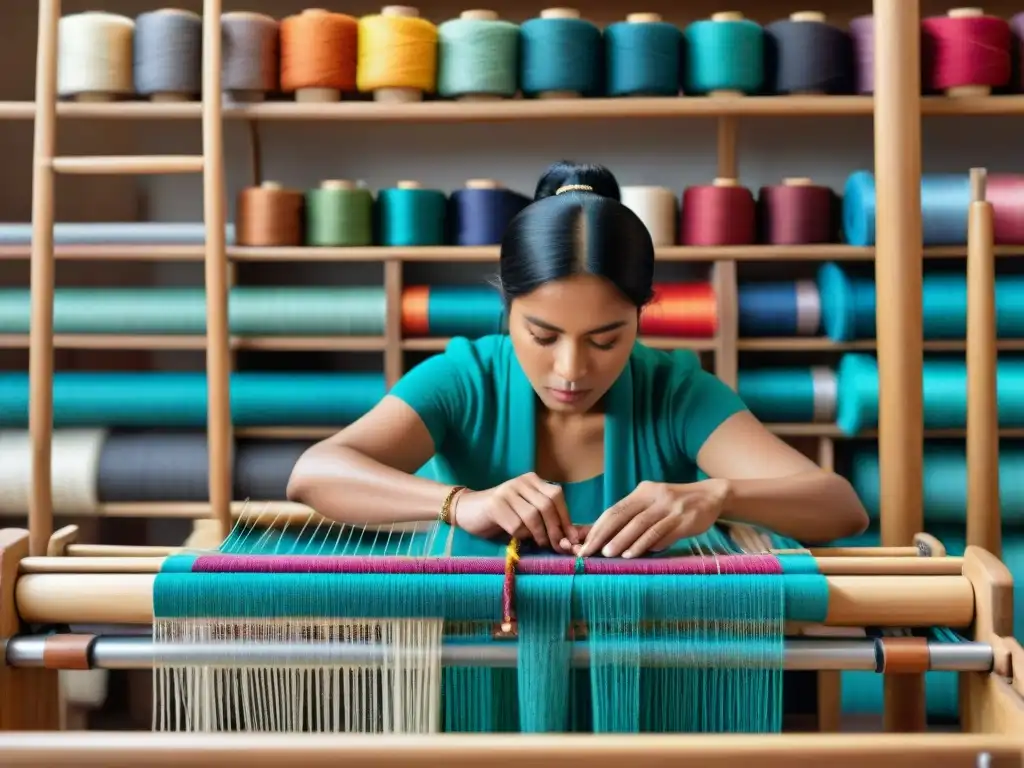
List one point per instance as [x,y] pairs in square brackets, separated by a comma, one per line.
[215,216]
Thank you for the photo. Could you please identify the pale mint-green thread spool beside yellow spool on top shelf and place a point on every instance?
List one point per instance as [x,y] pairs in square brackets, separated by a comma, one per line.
[478,56]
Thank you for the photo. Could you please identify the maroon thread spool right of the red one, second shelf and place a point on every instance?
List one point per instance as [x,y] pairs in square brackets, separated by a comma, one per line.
[796,214]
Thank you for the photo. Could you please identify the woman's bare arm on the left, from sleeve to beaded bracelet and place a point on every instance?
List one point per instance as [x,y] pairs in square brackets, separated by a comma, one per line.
[364,475]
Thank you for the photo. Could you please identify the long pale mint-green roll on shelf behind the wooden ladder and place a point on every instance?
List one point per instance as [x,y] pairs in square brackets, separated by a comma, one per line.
[251,311]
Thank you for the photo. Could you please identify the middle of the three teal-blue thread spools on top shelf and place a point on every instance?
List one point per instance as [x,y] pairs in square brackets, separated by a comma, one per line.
[644,57]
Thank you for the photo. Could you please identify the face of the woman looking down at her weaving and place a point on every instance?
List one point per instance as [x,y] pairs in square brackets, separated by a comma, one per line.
[573,338]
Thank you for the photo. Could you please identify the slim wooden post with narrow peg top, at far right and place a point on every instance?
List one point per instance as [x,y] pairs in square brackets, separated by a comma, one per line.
[984,519]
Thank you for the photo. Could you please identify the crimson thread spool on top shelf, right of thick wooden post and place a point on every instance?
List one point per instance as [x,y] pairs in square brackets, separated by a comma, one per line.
[966,54]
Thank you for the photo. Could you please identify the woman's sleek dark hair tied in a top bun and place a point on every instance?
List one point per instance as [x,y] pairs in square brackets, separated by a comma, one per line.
[577,225]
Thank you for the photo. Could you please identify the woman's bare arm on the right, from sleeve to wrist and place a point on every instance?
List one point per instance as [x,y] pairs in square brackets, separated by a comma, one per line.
[775,486]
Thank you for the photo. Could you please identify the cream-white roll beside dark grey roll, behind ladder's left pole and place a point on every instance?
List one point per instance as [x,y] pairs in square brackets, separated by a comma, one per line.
[75,467]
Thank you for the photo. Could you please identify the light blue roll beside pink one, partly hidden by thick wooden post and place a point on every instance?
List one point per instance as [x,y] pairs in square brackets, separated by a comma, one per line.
[945,202]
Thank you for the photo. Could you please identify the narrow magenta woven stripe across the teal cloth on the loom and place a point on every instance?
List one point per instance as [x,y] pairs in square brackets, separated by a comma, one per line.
[554,566]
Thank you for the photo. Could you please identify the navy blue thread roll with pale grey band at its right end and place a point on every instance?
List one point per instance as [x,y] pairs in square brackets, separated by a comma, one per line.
[780,309]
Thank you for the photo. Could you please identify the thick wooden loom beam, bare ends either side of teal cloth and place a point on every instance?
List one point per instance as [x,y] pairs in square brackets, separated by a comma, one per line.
[854,601]
